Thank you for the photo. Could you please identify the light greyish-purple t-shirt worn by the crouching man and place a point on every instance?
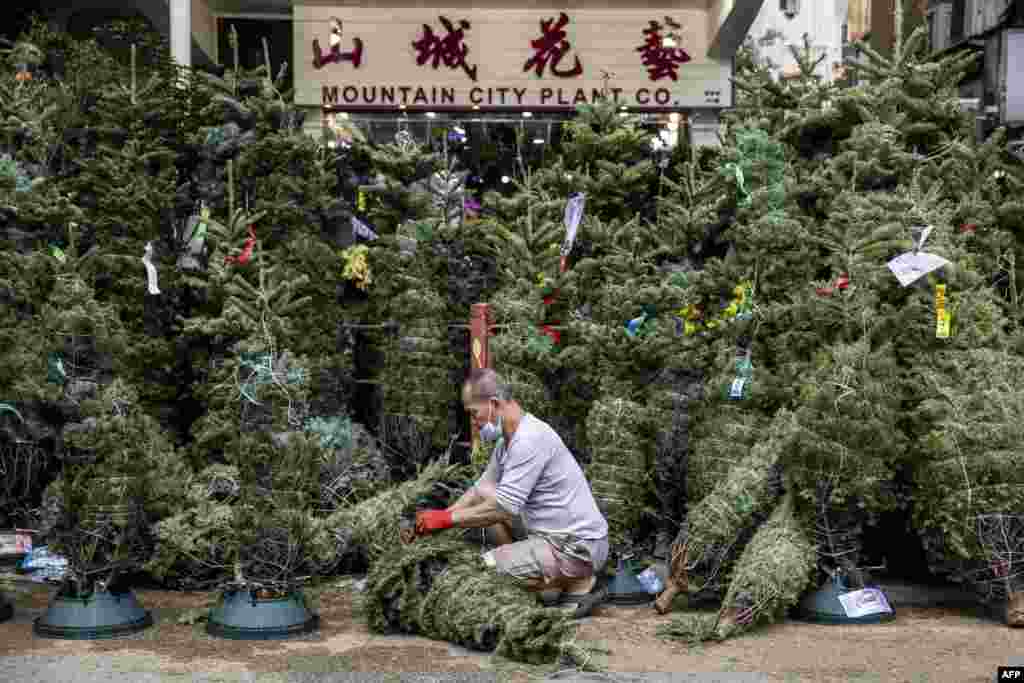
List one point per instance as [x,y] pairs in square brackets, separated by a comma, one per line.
[537,478]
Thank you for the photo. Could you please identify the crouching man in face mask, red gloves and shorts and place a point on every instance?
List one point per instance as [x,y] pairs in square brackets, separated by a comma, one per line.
[533,501]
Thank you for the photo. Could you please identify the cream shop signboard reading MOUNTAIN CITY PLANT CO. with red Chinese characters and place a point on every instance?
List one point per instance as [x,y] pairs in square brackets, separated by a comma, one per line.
[460,59]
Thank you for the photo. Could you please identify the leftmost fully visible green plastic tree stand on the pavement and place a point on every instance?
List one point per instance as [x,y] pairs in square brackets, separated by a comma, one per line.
[103,615]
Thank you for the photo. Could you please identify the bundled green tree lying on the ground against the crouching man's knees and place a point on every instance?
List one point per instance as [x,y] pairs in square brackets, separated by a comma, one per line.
[442,589]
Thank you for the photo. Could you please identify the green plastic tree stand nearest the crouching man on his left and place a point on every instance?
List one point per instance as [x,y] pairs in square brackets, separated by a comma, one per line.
[241,616]
